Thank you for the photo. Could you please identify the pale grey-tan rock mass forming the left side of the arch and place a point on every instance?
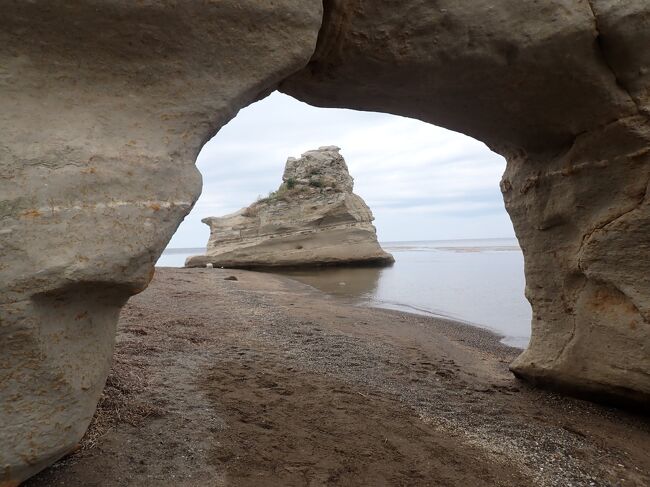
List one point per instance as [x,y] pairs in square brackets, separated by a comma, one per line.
[104,107]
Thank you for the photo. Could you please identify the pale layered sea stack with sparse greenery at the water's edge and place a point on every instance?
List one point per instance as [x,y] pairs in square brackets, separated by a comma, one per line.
[313,219]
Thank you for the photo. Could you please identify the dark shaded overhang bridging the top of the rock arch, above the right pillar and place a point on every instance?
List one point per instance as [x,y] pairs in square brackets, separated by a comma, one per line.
[517,75]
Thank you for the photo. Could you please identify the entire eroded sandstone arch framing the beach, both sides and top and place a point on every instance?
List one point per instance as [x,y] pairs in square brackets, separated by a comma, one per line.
[105,105]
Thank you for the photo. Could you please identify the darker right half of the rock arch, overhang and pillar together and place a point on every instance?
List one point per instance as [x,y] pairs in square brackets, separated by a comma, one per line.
[561,89]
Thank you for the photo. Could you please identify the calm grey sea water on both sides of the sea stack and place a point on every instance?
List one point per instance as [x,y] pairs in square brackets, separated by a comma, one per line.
[480,282]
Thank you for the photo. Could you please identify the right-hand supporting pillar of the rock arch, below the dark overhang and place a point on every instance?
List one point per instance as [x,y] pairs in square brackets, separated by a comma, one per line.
[582,218]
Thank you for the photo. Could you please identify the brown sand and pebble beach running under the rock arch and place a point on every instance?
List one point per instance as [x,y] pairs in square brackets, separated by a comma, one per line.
[264,381]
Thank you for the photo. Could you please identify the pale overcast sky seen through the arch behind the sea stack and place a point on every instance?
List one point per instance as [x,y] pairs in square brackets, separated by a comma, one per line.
[422,182]
